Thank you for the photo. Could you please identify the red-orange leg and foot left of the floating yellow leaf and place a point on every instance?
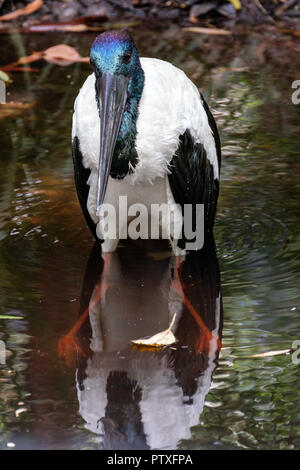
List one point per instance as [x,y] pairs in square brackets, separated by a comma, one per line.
[67,344]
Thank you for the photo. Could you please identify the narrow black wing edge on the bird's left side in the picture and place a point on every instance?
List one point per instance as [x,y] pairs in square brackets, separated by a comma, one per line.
[81,176]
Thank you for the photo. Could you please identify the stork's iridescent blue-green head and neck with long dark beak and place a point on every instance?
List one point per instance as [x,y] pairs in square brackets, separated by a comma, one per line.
[119,85]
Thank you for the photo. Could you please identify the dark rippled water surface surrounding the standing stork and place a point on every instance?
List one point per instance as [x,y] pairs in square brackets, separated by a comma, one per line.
[83,386]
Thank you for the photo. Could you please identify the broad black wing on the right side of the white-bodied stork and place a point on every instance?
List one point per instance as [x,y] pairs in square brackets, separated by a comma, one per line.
[192,178]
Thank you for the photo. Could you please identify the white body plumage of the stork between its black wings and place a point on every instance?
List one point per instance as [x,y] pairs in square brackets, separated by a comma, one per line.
[170,104]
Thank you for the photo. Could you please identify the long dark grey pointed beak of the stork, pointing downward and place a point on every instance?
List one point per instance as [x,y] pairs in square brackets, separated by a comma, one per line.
[112,90]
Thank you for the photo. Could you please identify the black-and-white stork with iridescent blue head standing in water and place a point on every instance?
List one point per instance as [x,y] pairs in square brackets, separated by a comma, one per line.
[141,129]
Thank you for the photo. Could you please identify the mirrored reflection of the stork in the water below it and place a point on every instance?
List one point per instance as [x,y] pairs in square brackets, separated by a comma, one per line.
[141,399]
